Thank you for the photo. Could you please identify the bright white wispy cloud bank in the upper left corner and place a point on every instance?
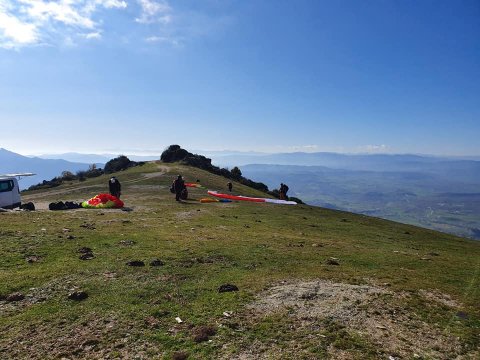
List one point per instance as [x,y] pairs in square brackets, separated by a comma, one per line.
[26,23]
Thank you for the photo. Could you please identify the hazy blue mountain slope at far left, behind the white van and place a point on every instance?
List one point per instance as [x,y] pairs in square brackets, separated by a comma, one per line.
[45,169]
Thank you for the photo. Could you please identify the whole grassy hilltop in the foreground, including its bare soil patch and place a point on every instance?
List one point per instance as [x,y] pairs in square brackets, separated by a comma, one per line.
[312,283]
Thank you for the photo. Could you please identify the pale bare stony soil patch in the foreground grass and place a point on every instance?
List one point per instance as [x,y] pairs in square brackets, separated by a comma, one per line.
[371,312]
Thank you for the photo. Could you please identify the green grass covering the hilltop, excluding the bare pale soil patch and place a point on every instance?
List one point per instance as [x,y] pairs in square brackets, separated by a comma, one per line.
[203,246]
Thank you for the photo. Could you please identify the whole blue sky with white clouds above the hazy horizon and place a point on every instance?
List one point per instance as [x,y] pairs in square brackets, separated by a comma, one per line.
[134,76]
